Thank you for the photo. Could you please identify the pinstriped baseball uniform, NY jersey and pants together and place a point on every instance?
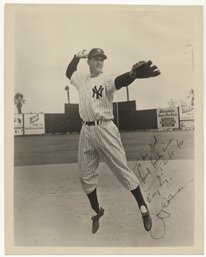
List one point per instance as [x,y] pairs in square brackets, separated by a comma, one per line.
[103,140]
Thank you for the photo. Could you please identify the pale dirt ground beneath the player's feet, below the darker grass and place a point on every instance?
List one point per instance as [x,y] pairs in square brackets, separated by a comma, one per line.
[52,210]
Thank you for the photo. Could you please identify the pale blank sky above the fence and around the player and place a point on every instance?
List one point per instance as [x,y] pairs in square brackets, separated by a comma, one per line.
[46,39]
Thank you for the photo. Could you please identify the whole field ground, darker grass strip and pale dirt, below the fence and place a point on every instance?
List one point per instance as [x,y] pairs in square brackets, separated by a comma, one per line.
[50,208]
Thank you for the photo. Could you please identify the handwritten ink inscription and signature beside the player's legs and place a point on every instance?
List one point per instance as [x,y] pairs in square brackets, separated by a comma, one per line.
[158,183]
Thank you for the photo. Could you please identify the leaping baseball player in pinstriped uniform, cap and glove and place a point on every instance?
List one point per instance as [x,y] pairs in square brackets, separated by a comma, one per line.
[99,136]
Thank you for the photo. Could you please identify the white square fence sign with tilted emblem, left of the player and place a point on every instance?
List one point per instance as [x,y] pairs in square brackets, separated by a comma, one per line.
[34,124]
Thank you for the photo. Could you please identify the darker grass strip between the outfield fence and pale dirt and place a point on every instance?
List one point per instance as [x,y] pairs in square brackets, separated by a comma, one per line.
[56,149]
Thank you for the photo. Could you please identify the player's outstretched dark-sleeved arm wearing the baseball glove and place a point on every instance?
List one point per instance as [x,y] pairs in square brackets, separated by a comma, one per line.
[139,70]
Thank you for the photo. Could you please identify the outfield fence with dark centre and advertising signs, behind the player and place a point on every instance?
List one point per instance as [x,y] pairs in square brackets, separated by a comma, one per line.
[126,117]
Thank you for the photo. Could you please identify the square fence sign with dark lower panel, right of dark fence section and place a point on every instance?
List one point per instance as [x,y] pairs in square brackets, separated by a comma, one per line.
[167,118]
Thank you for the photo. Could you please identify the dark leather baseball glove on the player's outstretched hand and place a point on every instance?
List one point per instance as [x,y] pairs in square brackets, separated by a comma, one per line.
[144,69]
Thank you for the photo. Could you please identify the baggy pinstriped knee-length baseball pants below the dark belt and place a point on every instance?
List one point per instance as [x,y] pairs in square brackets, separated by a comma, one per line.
[103,141]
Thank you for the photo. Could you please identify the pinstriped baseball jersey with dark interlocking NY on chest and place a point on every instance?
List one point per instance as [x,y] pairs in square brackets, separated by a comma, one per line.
[95,95]
